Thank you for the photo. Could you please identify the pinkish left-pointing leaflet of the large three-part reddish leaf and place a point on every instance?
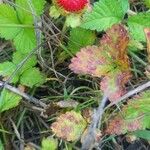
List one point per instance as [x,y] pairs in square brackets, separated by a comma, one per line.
[90,61]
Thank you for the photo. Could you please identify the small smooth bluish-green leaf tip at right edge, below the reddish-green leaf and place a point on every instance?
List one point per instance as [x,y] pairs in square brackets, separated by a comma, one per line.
[145,134]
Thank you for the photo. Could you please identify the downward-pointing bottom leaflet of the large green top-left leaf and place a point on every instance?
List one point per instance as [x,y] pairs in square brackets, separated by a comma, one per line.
[25,41]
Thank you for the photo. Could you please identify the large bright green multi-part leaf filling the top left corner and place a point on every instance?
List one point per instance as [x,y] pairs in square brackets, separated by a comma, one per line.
[20,22]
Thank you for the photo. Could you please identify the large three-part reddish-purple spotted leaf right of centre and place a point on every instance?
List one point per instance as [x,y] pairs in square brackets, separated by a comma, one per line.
[109,60]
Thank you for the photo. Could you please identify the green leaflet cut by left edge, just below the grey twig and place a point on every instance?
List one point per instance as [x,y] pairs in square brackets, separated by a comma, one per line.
[8,100]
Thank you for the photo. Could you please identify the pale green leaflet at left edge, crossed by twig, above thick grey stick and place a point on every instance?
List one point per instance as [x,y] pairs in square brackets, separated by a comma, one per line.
[6,70]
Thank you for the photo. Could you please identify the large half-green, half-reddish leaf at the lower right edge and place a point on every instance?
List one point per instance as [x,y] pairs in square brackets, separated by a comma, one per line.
[134,116]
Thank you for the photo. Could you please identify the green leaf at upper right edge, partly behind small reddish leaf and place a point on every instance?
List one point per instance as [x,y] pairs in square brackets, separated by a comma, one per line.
[137,23]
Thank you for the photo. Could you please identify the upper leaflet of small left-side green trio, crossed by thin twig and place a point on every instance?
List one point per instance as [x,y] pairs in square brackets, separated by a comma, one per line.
[19,57]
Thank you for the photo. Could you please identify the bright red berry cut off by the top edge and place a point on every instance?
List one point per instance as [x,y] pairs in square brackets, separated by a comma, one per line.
[72,5]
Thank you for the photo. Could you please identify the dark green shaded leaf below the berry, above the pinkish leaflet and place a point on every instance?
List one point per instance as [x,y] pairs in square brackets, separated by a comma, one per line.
[80,38]
